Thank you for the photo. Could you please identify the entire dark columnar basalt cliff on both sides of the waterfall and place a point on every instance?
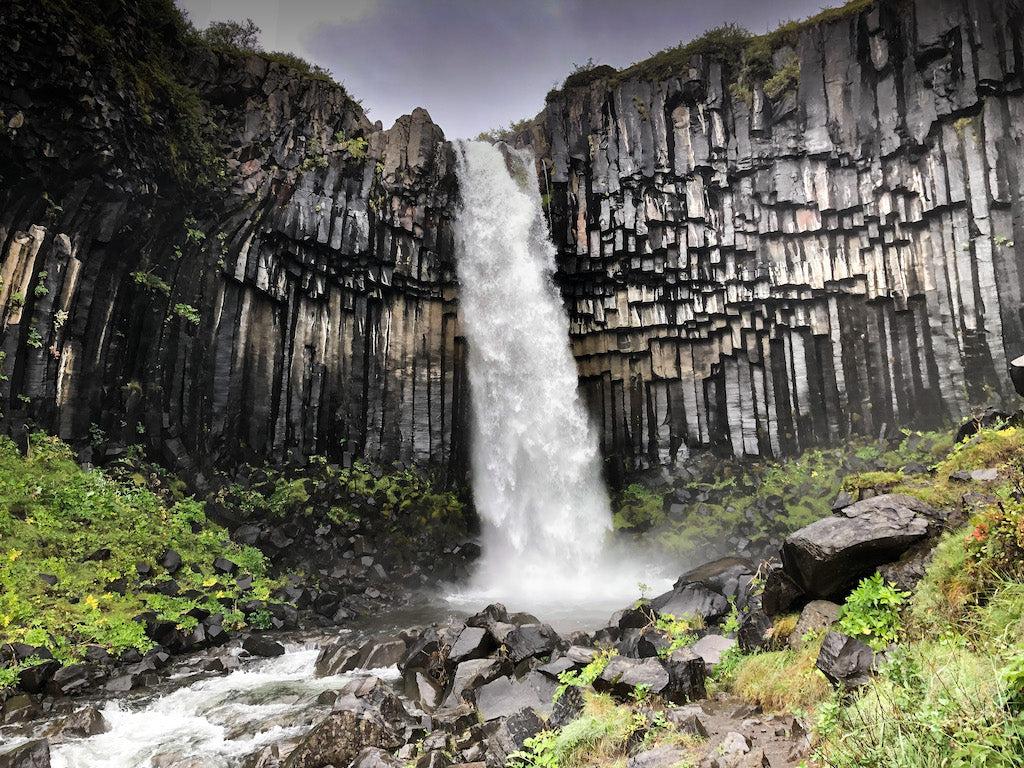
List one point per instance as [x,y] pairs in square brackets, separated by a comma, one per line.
[753,264]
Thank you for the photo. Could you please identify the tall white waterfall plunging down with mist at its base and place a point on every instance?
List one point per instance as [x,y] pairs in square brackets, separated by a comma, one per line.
[535,460]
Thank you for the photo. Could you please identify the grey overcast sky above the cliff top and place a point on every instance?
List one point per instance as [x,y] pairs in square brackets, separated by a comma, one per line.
[477,65]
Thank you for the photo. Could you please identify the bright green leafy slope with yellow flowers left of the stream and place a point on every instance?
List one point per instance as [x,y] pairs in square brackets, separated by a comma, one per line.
[89,532]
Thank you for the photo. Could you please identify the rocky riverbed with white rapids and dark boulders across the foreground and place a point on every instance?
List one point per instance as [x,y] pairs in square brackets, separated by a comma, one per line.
[473,690]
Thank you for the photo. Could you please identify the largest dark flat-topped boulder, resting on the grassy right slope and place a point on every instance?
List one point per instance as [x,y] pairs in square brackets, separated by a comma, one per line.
[830,557]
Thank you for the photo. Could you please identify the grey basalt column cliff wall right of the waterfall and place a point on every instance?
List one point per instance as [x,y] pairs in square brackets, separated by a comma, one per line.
[760,276]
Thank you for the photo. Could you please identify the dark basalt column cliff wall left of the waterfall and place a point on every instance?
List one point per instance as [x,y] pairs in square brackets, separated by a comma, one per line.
[322,279]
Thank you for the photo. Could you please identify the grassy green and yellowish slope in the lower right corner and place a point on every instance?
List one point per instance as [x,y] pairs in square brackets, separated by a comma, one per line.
[953,693]
